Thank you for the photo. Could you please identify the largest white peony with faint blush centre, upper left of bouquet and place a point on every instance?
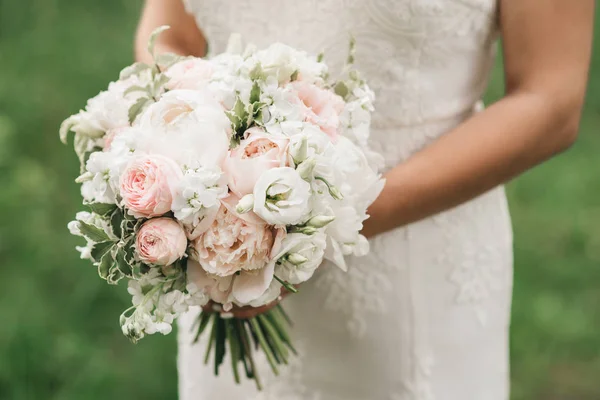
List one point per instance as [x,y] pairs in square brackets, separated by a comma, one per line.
[188,126]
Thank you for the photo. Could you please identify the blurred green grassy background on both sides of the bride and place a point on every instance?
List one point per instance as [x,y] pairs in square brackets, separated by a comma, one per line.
[59,333]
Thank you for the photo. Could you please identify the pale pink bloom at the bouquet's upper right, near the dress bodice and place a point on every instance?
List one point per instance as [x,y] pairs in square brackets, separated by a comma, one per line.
[324,106]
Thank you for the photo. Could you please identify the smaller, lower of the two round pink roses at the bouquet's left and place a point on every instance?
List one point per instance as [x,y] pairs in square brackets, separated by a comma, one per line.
[160,241]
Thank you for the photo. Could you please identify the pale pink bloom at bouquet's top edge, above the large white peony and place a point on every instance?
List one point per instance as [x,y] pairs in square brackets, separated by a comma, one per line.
[192,73]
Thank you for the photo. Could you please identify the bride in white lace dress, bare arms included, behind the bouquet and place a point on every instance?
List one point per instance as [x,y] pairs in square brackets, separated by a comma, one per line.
[426,314]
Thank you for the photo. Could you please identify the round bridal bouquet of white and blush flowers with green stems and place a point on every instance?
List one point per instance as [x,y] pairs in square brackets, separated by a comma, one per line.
[223,181]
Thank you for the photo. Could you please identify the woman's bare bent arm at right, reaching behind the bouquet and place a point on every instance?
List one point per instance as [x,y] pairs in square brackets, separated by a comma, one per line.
[547,46]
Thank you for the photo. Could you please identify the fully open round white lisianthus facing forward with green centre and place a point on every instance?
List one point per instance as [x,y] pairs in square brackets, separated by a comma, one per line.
[281,197]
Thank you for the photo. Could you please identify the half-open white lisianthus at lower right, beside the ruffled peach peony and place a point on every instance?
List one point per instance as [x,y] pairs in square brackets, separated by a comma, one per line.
[300,256]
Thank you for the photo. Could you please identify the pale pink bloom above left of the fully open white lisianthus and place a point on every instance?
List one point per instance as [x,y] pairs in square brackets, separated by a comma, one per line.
[255,154]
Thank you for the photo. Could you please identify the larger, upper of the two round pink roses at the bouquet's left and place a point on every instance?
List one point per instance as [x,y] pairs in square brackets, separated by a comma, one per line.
[147,183]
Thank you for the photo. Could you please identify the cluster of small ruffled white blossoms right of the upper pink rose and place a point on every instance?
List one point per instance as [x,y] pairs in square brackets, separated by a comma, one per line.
[198,193]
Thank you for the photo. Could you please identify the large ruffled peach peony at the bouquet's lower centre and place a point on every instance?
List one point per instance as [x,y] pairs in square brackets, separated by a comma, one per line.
[234,242]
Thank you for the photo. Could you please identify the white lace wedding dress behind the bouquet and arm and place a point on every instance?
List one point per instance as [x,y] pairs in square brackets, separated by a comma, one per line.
[425,315]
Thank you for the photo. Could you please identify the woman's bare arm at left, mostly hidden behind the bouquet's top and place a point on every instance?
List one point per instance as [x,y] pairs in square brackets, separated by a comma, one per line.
[183,38]
